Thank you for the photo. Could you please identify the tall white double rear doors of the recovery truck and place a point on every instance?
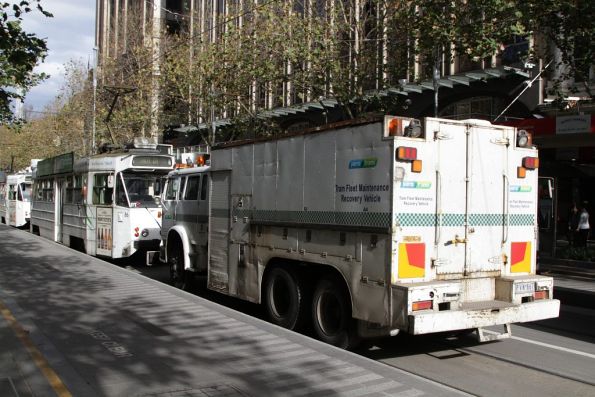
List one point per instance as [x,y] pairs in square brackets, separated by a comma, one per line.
[470,193]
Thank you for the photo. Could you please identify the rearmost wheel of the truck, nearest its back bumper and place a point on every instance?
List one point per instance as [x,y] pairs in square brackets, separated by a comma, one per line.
[331,314]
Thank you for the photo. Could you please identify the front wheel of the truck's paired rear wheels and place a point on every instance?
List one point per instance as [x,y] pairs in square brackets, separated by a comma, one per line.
[284,298]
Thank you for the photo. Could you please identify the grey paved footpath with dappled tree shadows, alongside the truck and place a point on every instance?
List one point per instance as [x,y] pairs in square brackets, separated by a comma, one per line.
[75,325]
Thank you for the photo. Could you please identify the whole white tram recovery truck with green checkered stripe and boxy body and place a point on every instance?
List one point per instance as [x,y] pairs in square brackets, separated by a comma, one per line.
[368,228]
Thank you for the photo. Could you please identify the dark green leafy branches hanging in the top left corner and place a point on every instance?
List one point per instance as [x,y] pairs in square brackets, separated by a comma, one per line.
[20,52]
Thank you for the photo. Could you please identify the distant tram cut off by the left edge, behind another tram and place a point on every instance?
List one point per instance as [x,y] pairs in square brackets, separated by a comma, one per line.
[15,197]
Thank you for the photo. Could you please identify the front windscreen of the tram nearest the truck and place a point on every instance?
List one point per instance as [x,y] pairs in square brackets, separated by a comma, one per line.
[142,190]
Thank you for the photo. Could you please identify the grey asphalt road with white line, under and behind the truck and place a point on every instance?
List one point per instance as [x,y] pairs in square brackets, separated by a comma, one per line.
[554,357]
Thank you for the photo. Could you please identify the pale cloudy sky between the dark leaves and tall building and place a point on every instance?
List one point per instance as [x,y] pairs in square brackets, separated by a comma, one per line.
[70,35]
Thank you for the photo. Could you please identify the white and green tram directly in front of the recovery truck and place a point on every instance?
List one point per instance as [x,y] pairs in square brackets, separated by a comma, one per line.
[106,205]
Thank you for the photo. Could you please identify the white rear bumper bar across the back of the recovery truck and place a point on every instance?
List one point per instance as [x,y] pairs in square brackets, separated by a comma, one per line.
[451,320]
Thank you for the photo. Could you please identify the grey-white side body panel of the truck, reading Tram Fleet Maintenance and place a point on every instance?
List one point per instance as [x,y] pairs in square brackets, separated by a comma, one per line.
[322,199]
